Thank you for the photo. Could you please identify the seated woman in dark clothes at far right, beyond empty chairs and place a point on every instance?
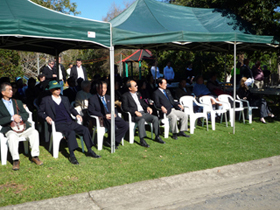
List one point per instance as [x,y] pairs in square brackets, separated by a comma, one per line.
[244,93]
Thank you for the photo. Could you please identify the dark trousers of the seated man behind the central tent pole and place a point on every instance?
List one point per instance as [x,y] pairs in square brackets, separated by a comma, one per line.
[121,128]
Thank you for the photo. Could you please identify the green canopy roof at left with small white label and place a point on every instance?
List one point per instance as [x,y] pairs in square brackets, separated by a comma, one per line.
[27,26]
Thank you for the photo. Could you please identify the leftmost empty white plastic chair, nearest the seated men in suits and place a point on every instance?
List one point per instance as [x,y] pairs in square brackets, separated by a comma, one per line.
[188,103]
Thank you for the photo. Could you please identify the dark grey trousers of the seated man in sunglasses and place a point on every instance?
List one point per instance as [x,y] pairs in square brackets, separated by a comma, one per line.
[146,117]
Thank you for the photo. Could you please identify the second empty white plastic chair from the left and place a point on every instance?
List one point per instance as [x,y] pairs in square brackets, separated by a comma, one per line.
[207,100]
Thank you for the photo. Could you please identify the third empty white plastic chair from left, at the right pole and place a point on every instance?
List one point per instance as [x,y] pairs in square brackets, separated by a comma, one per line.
[225,98]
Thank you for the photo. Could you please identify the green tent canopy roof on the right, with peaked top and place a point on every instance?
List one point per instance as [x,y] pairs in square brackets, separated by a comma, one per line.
[153,24]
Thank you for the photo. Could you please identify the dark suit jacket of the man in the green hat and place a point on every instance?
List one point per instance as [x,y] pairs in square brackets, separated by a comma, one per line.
[47,108]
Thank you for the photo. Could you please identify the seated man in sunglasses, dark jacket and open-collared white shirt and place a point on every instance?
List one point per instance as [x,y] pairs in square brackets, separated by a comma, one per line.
[132,102]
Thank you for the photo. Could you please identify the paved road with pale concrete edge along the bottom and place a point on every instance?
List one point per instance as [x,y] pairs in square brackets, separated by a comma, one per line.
[250,185]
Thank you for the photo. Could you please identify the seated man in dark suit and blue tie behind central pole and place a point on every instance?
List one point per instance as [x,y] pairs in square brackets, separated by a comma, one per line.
[100,105]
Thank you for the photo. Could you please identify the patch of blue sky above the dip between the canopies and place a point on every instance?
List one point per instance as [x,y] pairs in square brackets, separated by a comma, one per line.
[96,9]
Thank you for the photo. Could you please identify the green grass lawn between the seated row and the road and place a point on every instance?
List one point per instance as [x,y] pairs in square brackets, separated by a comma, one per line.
[133,163]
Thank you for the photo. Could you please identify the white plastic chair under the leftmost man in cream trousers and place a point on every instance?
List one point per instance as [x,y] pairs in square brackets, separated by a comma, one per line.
[4,141]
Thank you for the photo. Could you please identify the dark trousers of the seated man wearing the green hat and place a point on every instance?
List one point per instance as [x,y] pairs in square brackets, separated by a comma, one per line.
[69,130]
